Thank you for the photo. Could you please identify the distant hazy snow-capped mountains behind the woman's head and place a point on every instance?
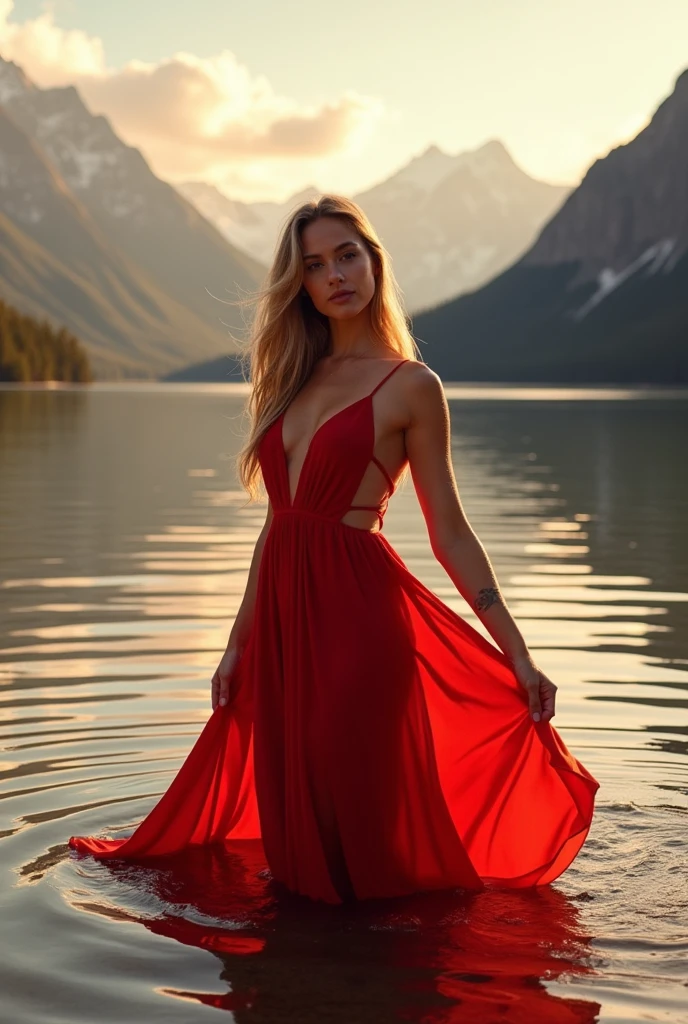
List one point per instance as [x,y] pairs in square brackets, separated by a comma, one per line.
[450,223]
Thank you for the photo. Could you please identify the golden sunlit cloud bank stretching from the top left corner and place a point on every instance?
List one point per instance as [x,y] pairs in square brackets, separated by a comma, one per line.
[210,118]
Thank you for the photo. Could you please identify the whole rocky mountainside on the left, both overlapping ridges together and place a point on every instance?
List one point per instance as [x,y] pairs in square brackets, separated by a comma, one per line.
[92,238]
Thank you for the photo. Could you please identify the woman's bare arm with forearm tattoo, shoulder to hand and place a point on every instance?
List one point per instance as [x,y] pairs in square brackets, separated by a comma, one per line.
[454,542]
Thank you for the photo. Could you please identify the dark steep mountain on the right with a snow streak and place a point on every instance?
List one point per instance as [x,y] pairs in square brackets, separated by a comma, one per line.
[604,293]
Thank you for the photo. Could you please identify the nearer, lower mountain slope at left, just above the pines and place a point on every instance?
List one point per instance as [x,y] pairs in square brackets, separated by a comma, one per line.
[56,263]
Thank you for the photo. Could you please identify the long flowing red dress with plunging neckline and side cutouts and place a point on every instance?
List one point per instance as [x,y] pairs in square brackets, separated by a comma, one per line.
[374,740]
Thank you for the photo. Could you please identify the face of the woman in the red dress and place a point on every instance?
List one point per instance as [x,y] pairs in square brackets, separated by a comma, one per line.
[337,260]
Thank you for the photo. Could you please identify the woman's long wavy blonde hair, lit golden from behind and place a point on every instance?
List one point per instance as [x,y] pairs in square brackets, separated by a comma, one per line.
[289,335]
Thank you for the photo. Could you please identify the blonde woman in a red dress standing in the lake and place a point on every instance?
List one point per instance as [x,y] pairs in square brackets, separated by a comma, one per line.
[374,741]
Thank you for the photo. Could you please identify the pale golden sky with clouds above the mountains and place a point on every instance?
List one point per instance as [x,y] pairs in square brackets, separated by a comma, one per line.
[266,99]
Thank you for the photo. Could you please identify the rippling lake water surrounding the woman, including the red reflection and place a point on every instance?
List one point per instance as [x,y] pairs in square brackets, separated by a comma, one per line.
[125,544]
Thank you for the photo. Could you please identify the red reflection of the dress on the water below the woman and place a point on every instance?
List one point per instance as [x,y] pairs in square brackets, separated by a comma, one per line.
[425,958]
